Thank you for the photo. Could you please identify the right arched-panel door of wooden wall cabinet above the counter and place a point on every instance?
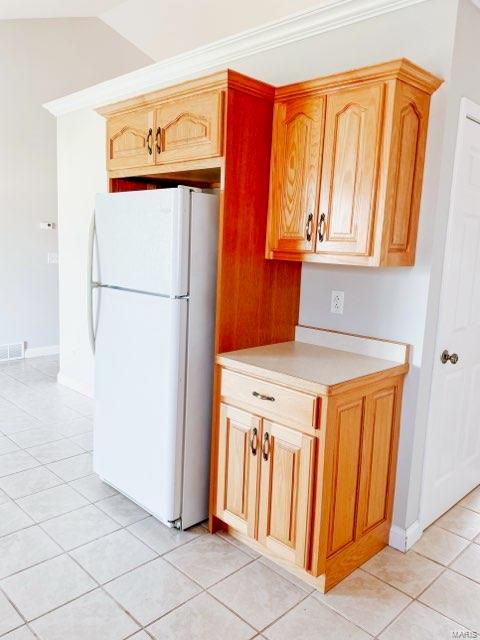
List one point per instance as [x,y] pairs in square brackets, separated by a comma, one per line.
[351,149]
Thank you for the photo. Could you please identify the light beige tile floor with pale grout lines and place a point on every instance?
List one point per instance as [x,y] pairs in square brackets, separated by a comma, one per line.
[78,561]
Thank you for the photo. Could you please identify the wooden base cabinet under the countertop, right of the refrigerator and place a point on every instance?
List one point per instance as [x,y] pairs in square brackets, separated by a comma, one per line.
[317,497]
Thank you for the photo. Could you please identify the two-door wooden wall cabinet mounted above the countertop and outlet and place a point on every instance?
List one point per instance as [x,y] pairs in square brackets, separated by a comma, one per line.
[372,140]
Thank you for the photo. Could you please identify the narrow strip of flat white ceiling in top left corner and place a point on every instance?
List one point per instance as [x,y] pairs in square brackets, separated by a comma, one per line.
[25,9]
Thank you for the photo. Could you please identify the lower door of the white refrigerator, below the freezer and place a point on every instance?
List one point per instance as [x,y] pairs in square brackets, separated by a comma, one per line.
[139,391]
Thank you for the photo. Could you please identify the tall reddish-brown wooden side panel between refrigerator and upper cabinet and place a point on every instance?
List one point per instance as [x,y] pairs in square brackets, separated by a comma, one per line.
[257,299]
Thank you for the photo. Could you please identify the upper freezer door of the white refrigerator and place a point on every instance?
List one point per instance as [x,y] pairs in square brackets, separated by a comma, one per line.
[142,240]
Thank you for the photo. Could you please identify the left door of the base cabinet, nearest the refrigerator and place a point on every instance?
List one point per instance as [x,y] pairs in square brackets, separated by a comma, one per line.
[237,470]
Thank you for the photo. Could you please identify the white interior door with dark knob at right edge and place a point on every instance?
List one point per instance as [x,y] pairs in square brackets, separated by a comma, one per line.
[452,455]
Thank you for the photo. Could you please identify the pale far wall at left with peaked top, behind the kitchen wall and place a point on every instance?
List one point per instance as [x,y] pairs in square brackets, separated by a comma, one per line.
[40,60]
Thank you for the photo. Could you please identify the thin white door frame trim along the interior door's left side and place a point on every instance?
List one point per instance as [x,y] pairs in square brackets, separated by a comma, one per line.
[468,110]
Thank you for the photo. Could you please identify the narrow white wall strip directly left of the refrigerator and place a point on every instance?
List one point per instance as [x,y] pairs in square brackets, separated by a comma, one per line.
[79,179]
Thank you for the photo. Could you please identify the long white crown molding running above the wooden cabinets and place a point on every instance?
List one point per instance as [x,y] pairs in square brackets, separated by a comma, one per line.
[223,53]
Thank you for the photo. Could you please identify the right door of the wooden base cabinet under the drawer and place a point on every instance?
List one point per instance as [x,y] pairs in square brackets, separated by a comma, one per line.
[285,491]
